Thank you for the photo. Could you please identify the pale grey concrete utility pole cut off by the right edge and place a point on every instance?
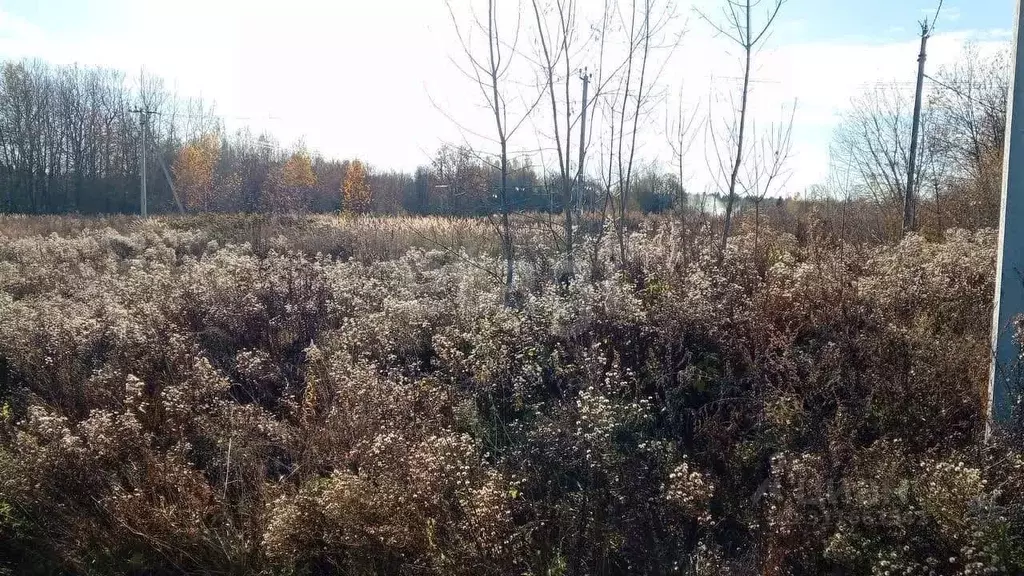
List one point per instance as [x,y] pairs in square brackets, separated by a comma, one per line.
[1005,372]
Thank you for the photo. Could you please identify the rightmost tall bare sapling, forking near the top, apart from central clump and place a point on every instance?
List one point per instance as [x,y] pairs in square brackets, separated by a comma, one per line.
[741,29]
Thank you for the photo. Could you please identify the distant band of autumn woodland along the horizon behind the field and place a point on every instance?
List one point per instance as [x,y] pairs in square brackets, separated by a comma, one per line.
[71,138]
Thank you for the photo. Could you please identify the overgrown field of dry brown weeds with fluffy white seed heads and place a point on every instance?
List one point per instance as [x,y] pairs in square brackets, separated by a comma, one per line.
[236,396]
